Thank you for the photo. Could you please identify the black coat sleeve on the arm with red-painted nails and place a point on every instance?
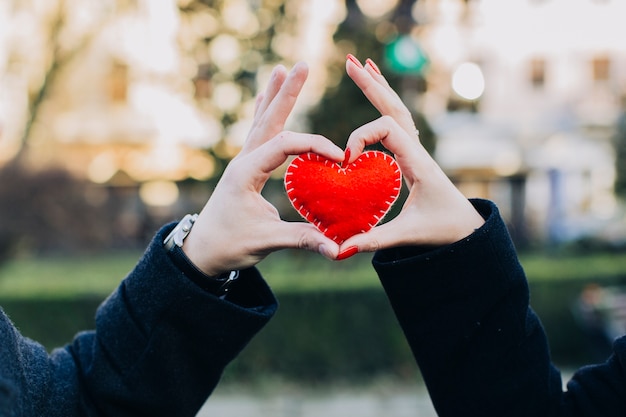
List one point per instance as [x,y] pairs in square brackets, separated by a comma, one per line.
[482,351]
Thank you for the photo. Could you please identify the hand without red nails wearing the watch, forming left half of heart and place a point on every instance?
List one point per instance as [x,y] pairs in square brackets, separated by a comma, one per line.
[237,228]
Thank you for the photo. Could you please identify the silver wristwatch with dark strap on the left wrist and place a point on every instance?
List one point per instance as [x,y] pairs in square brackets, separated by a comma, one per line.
[218,285]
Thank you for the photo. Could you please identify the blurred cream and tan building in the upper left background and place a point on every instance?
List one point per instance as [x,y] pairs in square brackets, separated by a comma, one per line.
[101,89]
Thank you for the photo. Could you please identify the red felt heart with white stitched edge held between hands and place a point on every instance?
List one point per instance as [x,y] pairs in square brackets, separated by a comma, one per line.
[343,201]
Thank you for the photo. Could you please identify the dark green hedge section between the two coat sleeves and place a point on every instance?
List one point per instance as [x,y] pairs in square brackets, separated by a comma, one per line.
[329,335]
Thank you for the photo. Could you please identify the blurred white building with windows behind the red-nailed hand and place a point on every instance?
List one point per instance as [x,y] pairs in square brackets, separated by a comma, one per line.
[524,96]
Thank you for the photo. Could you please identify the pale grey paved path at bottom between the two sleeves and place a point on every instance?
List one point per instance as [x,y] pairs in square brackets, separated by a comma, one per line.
[404,401]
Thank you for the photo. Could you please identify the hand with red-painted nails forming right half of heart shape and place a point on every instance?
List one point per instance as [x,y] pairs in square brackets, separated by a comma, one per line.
[435,212]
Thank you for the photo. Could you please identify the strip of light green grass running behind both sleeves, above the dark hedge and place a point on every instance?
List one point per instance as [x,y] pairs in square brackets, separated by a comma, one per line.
[60,277]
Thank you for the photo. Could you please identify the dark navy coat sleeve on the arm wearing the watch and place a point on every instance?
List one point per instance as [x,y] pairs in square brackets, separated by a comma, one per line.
[159,348]
